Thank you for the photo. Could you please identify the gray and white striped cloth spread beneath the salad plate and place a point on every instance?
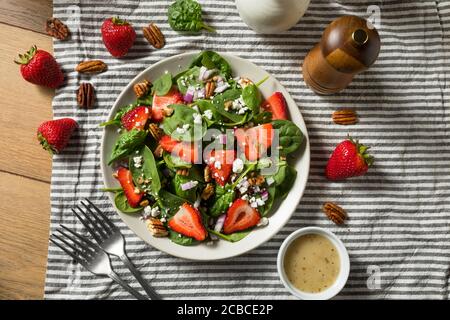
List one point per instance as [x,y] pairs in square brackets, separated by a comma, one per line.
[399,212]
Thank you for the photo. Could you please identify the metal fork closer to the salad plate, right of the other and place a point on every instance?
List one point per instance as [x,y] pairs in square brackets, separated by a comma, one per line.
[110,239]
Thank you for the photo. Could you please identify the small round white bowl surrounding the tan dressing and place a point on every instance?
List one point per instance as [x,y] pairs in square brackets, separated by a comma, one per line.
[343,257]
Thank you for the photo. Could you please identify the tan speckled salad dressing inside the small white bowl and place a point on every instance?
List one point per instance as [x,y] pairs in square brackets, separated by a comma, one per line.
[312,263]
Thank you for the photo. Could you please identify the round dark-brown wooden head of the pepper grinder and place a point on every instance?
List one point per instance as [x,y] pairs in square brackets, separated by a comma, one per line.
[349,45]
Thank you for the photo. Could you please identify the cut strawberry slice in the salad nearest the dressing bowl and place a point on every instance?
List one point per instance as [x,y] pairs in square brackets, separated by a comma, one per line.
[240,216]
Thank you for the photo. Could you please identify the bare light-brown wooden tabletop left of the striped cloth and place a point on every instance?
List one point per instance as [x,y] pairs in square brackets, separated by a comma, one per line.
[25,168]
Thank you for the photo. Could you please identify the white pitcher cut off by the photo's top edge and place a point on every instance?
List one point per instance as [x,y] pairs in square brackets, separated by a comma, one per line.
[271,16]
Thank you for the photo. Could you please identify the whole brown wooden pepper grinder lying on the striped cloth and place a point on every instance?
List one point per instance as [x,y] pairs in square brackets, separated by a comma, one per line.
[347,47]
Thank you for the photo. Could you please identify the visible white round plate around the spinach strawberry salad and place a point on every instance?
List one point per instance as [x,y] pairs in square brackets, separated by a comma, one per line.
[222,249]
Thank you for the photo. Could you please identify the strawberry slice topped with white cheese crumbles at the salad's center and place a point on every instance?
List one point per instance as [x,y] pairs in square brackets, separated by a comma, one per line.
[221,164]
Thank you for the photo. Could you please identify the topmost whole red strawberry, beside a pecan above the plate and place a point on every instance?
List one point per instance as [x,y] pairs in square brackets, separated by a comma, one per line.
[118,36]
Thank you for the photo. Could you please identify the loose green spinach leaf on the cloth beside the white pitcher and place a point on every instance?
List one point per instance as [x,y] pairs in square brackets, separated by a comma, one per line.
[186,15]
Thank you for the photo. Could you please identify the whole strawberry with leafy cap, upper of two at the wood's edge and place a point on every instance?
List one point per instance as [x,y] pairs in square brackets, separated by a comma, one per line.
[39,67]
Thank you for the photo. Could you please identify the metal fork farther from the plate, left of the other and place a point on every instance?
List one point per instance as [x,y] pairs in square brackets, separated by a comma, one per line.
[90,256]
